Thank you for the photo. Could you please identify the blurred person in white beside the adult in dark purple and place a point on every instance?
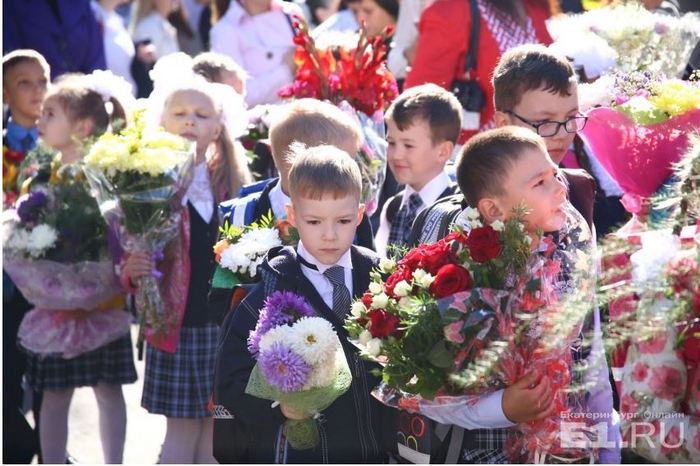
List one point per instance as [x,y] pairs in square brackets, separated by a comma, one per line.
[119,48]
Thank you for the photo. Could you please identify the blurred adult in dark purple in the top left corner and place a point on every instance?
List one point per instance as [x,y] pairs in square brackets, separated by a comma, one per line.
[65,32]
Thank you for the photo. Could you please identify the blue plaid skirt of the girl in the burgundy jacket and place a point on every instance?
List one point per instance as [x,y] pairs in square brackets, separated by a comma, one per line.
[180,384]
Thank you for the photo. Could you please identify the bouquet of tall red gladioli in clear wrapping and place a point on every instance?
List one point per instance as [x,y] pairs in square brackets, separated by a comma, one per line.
[354,77]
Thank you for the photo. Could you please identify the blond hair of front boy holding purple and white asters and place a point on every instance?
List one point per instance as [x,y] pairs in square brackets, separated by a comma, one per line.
[321,170]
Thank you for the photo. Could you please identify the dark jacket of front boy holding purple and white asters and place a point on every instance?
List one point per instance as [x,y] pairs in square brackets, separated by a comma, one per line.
[351,428]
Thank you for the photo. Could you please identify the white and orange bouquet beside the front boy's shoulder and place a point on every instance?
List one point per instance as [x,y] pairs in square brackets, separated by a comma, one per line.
[241,250]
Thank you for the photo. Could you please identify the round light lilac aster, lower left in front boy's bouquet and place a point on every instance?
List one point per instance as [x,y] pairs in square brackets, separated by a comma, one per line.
[283,368]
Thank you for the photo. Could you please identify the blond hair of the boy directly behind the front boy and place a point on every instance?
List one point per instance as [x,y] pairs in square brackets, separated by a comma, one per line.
[311,122]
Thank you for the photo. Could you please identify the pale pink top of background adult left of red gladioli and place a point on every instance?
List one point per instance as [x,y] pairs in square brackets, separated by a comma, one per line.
[259,44]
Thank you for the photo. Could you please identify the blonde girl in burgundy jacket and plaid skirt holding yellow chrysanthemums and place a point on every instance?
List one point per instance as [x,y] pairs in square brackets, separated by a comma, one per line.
[180,367]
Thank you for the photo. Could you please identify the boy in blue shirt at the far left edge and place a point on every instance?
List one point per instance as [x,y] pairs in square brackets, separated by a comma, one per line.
[25,80]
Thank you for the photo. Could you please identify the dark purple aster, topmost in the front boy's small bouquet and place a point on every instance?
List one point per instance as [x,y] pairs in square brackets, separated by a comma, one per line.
[280,308]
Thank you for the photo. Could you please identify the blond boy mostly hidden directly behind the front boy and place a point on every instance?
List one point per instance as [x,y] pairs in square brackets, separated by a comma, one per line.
[310,122]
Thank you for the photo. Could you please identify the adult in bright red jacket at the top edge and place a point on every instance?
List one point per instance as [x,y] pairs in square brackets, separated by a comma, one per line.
[443,43]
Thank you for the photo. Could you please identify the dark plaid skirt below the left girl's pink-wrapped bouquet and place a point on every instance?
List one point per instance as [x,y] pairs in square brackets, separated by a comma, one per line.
[110,364]
